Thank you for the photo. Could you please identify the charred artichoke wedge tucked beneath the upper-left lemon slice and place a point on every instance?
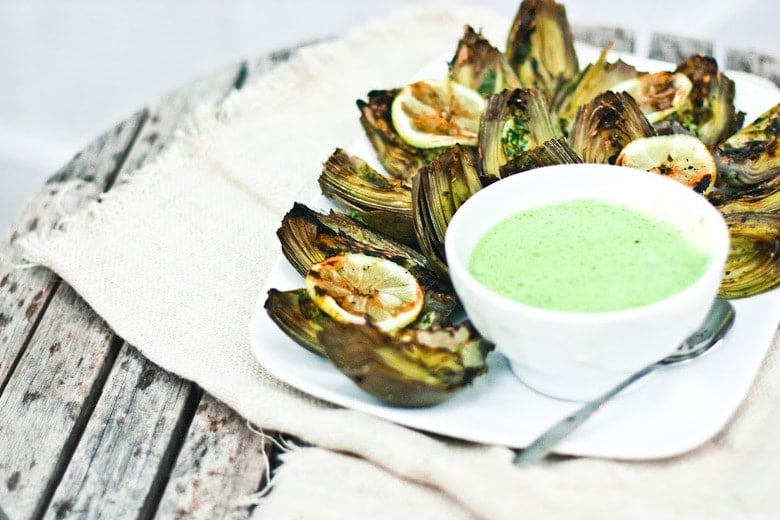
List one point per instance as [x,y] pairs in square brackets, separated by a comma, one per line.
[400,159]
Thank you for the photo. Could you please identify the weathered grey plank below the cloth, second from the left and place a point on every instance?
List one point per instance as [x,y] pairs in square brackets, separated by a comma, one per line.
[49,399]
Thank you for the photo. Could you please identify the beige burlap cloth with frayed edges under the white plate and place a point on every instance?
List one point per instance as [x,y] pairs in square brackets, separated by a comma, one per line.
[174,261]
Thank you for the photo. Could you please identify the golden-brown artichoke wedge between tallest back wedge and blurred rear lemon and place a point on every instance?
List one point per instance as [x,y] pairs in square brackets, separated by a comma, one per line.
[597,77]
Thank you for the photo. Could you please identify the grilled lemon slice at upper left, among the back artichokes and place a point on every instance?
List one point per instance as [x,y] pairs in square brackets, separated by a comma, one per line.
[429,114]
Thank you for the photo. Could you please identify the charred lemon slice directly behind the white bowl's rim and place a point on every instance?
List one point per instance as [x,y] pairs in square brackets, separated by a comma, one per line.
[682,157]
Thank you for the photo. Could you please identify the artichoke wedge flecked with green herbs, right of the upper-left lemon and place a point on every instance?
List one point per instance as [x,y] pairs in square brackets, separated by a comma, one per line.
[514,122]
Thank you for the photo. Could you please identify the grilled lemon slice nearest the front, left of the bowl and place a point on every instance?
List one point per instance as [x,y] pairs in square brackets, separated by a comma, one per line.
[358,289]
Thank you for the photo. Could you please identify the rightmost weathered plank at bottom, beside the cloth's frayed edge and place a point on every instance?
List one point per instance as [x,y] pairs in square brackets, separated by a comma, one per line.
[221,461]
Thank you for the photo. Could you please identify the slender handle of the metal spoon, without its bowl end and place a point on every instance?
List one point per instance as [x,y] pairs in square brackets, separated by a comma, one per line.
[544,444]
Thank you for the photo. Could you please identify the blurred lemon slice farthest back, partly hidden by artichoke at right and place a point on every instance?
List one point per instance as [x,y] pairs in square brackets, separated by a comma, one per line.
[658,94]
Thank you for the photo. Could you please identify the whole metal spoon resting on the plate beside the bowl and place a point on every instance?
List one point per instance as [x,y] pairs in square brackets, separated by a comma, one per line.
[715,326]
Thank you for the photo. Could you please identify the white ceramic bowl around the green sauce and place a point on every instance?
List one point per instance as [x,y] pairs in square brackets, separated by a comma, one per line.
[579,355]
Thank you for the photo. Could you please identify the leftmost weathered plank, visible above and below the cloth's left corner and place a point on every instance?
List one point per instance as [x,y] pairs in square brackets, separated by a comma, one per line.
[24,292]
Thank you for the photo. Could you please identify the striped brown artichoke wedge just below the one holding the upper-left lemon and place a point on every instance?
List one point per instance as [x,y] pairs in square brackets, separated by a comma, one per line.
[382,203]
